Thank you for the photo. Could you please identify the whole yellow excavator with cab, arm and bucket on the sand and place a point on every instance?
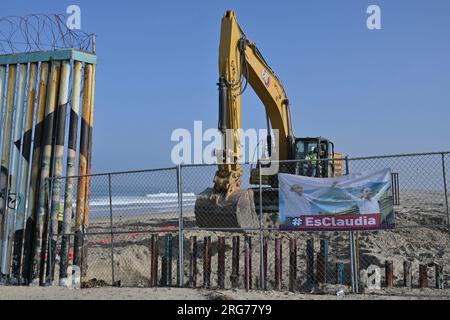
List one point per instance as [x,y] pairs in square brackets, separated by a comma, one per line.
[226,205]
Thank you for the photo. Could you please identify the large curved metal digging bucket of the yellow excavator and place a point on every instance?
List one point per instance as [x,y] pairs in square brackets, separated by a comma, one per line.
[236,211]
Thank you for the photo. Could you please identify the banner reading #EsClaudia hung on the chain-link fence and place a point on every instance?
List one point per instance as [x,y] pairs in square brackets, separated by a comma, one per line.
[353,202]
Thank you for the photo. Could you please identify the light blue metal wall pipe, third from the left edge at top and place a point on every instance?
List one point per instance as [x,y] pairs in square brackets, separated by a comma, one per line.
[14,170]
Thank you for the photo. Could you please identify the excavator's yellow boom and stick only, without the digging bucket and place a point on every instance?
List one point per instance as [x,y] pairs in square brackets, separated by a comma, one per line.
[240,64]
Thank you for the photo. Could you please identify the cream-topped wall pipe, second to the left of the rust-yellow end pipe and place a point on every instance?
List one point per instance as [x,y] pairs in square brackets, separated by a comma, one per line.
[58,162]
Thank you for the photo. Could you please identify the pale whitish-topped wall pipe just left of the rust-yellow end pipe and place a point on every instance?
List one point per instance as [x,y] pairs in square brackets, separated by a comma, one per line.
[70,171]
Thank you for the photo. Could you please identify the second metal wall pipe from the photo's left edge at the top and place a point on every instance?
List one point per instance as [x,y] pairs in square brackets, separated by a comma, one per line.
[6,146]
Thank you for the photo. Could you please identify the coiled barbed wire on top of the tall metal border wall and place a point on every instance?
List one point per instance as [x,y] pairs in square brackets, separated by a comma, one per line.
[39,32]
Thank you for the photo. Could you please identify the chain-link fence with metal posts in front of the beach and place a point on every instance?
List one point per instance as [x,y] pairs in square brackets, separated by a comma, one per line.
[143,231]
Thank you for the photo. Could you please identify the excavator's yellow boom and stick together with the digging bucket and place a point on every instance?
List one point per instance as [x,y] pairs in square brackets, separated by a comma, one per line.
[240,64]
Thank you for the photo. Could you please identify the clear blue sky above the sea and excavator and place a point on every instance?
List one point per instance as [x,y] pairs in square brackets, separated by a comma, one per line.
[371,92]
